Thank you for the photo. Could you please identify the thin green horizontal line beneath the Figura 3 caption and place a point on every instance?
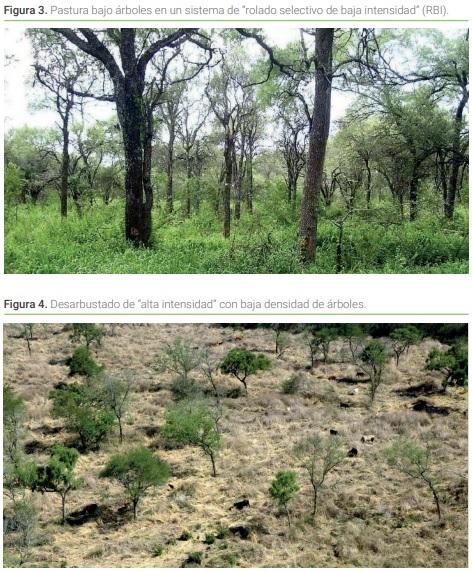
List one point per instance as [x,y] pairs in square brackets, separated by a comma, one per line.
[228,20]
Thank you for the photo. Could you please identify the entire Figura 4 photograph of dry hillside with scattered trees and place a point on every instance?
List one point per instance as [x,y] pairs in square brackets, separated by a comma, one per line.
[235,445]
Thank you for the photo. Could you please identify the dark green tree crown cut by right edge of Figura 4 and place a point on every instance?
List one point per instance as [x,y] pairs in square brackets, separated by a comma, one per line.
[453,363]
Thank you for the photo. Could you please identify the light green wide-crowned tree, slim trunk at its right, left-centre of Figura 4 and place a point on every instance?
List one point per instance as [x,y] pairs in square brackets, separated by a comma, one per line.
[192,423]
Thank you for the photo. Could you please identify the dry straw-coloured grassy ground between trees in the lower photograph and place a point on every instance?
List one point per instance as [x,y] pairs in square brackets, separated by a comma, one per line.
[369,514]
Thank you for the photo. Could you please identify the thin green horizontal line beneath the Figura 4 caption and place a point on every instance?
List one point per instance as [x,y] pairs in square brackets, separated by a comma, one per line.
[228,314]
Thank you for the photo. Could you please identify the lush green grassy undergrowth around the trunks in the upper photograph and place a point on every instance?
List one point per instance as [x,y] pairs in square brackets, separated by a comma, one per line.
[37,241]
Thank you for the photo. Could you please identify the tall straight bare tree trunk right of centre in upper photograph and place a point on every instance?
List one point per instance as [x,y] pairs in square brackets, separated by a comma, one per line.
[318,139]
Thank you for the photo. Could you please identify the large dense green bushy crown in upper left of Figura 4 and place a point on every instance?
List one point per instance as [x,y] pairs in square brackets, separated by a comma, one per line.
[85,412]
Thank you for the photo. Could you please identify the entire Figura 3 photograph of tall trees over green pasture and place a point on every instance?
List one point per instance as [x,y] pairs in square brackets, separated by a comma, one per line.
[242,151]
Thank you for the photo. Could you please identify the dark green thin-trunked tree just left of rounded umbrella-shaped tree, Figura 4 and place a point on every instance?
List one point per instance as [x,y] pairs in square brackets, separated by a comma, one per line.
[57,476]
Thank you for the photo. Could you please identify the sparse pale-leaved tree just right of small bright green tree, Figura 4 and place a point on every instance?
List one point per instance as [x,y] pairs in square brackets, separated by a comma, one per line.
[319,457]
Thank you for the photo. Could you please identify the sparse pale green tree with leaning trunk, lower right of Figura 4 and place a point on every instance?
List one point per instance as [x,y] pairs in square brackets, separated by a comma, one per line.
[410,458]
